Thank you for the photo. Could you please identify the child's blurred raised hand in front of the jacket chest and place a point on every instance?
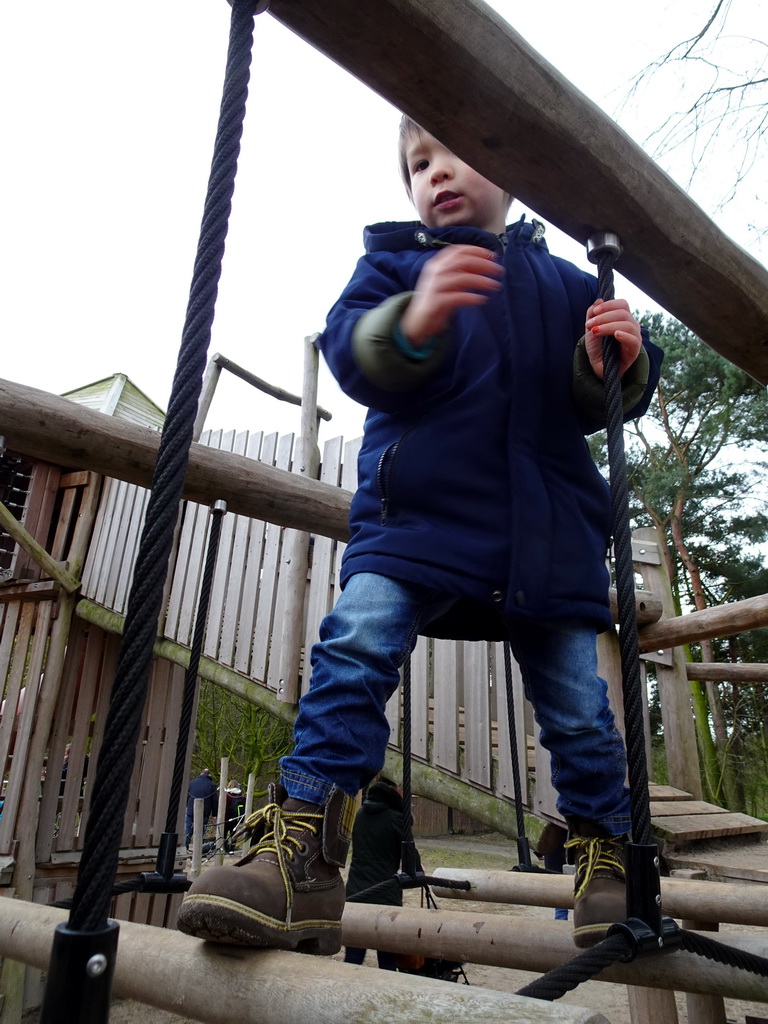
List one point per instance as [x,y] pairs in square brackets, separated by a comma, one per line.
[457,276]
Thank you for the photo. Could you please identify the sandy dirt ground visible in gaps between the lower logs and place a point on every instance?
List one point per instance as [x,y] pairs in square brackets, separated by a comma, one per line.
[494,852]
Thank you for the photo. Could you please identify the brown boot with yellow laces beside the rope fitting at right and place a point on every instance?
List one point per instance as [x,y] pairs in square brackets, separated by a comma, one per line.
[601,886]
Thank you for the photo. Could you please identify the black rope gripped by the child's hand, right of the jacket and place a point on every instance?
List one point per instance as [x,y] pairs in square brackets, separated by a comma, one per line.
[630,650]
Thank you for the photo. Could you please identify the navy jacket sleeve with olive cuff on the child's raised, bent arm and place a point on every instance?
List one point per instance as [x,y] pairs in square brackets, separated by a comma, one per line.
[364,349]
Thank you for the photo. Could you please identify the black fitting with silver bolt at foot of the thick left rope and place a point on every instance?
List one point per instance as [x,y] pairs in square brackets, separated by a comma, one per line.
[80,972]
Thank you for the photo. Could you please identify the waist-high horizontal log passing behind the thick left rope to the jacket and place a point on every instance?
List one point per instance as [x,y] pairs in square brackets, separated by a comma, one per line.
[45,426]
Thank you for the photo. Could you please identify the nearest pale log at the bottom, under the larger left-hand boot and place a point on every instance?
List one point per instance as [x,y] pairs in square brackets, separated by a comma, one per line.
[221,985]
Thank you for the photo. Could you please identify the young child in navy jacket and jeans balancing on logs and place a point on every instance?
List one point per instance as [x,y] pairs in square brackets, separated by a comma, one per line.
[480,515]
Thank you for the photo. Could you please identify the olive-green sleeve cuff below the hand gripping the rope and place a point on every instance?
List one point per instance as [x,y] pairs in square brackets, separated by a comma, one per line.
[638,385]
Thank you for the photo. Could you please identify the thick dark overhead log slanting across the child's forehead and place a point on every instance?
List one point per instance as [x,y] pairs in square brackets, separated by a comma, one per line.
[525,126]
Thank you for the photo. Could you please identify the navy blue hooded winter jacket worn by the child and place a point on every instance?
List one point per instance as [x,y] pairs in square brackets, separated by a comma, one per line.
[475,475]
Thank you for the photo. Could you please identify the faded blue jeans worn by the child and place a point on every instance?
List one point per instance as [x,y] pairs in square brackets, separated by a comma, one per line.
[342,731]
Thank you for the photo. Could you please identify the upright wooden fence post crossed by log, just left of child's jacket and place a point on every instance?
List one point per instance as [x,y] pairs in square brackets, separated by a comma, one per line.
[296,544]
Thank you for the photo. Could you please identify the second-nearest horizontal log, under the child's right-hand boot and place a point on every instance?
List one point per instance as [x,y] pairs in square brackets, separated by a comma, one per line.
[533,945]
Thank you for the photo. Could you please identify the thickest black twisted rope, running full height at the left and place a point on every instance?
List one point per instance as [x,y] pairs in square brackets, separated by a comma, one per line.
[111,790]
